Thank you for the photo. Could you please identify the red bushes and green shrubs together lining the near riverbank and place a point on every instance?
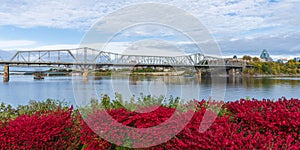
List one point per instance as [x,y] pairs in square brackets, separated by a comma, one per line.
[241,124]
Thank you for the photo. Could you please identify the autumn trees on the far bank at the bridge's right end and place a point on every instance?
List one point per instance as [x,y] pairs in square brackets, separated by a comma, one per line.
[273,68]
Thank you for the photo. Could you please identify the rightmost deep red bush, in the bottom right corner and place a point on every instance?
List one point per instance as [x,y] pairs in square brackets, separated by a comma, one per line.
[278,121]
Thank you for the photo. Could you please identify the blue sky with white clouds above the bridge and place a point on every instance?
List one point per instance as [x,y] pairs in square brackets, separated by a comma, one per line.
[240,27]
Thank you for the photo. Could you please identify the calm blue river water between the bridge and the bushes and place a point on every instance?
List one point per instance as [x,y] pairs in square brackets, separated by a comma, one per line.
[22,88]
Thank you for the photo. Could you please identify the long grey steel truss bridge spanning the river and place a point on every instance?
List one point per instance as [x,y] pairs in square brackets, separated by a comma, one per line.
[87,58]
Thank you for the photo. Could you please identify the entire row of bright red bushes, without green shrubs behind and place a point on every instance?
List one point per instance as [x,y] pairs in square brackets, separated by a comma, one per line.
[247,124]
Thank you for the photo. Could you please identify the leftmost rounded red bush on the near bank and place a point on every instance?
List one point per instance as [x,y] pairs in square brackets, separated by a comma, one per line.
[47,130]
